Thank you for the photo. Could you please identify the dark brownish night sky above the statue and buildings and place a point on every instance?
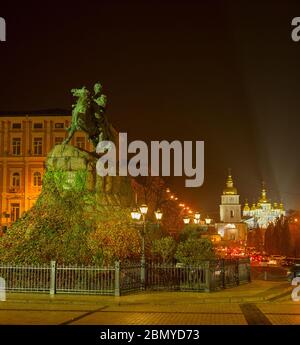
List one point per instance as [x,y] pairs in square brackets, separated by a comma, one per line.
[226,72]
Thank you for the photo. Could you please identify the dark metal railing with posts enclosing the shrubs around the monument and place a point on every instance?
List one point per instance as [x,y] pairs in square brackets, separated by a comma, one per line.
[125,277]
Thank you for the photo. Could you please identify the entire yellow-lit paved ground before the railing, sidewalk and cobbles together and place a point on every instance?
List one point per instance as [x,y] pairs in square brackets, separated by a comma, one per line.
[156,309]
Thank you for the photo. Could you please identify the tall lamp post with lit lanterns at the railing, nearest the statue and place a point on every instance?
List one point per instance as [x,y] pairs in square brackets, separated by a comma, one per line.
[136,214]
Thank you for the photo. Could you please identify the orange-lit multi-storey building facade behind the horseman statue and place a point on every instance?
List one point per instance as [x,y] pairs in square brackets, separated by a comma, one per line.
[25,140]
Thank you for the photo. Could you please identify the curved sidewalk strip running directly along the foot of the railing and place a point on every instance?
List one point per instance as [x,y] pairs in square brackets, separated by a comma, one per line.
[256,291]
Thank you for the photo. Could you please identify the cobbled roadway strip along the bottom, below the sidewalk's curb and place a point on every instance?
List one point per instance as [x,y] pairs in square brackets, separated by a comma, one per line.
[265,313]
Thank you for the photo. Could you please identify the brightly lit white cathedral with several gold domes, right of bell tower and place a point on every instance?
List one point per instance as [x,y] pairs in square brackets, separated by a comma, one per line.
[263,212]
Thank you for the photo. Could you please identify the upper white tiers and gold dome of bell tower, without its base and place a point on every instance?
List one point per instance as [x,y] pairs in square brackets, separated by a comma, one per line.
[230,208]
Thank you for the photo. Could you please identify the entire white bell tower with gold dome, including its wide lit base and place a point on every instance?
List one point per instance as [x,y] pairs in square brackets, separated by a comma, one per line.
[231,227]
